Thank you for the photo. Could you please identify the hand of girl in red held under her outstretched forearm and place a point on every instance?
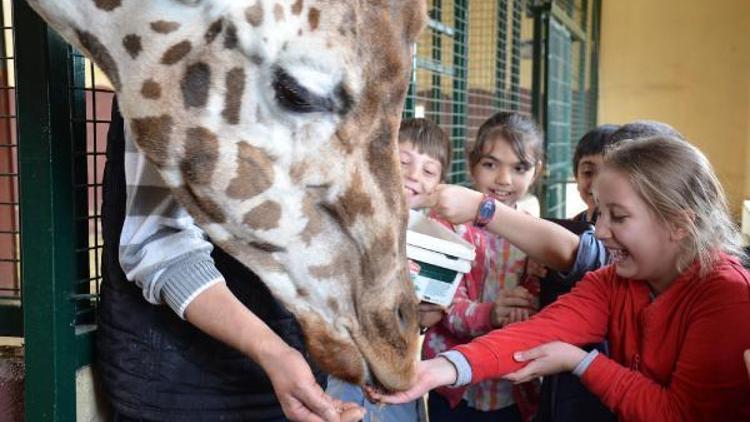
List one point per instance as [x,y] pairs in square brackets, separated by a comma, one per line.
[547,359]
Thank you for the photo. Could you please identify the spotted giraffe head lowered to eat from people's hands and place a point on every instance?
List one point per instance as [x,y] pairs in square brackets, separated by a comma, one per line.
[274,122]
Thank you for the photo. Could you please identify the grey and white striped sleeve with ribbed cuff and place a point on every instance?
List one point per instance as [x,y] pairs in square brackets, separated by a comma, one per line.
[161,248]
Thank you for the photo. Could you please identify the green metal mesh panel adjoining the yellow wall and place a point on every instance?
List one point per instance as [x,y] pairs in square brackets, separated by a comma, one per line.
[566,87]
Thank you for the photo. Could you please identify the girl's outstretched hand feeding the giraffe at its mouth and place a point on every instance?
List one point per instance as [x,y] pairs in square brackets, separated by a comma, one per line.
[431,373]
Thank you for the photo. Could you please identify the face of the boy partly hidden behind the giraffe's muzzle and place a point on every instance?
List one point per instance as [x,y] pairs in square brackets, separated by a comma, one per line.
[420,172]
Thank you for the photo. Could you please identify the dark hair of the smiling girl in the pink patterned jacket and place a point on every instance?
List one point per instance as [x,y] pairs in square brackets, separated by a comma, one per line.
[520,131]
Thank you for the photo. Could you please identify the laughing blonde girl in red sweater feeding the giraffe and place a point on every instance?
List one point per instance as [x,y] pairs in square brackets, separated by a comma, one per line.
[674,305]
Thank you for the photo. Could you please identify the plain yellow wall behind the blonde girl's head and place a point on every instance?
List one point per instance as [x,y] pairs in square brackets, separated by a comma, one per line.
[685,62]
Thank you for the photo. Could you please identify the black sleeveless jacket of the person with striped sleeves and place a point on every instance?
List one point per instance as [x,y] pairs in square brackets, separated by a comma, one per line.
[155,366]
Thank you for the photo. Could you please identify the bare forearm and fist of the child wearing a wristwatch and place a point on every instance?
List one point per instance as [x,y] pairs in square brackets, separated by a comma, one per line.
[543,241]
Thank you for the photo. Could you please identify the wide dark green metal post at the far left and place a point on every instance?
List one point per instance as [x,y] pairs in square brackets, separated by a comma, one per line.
[47,230]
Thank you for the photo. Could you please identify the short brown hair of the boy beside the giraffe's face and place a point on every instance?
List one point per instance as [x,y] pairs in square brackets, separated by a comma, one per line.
[428,138]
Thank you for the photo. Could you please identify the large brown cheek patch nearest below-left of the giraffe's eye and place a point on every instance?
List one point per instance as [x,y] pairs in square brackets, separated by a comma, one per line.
[254,173]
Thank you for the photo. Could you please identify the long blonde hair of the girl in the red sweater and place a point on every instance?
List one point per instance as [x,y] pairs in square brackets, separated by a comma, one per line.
[680,186]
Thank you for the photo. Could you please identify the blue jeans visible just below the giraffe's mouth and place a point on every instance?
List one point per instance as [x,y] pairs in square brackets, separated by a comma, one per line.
[407,412]
